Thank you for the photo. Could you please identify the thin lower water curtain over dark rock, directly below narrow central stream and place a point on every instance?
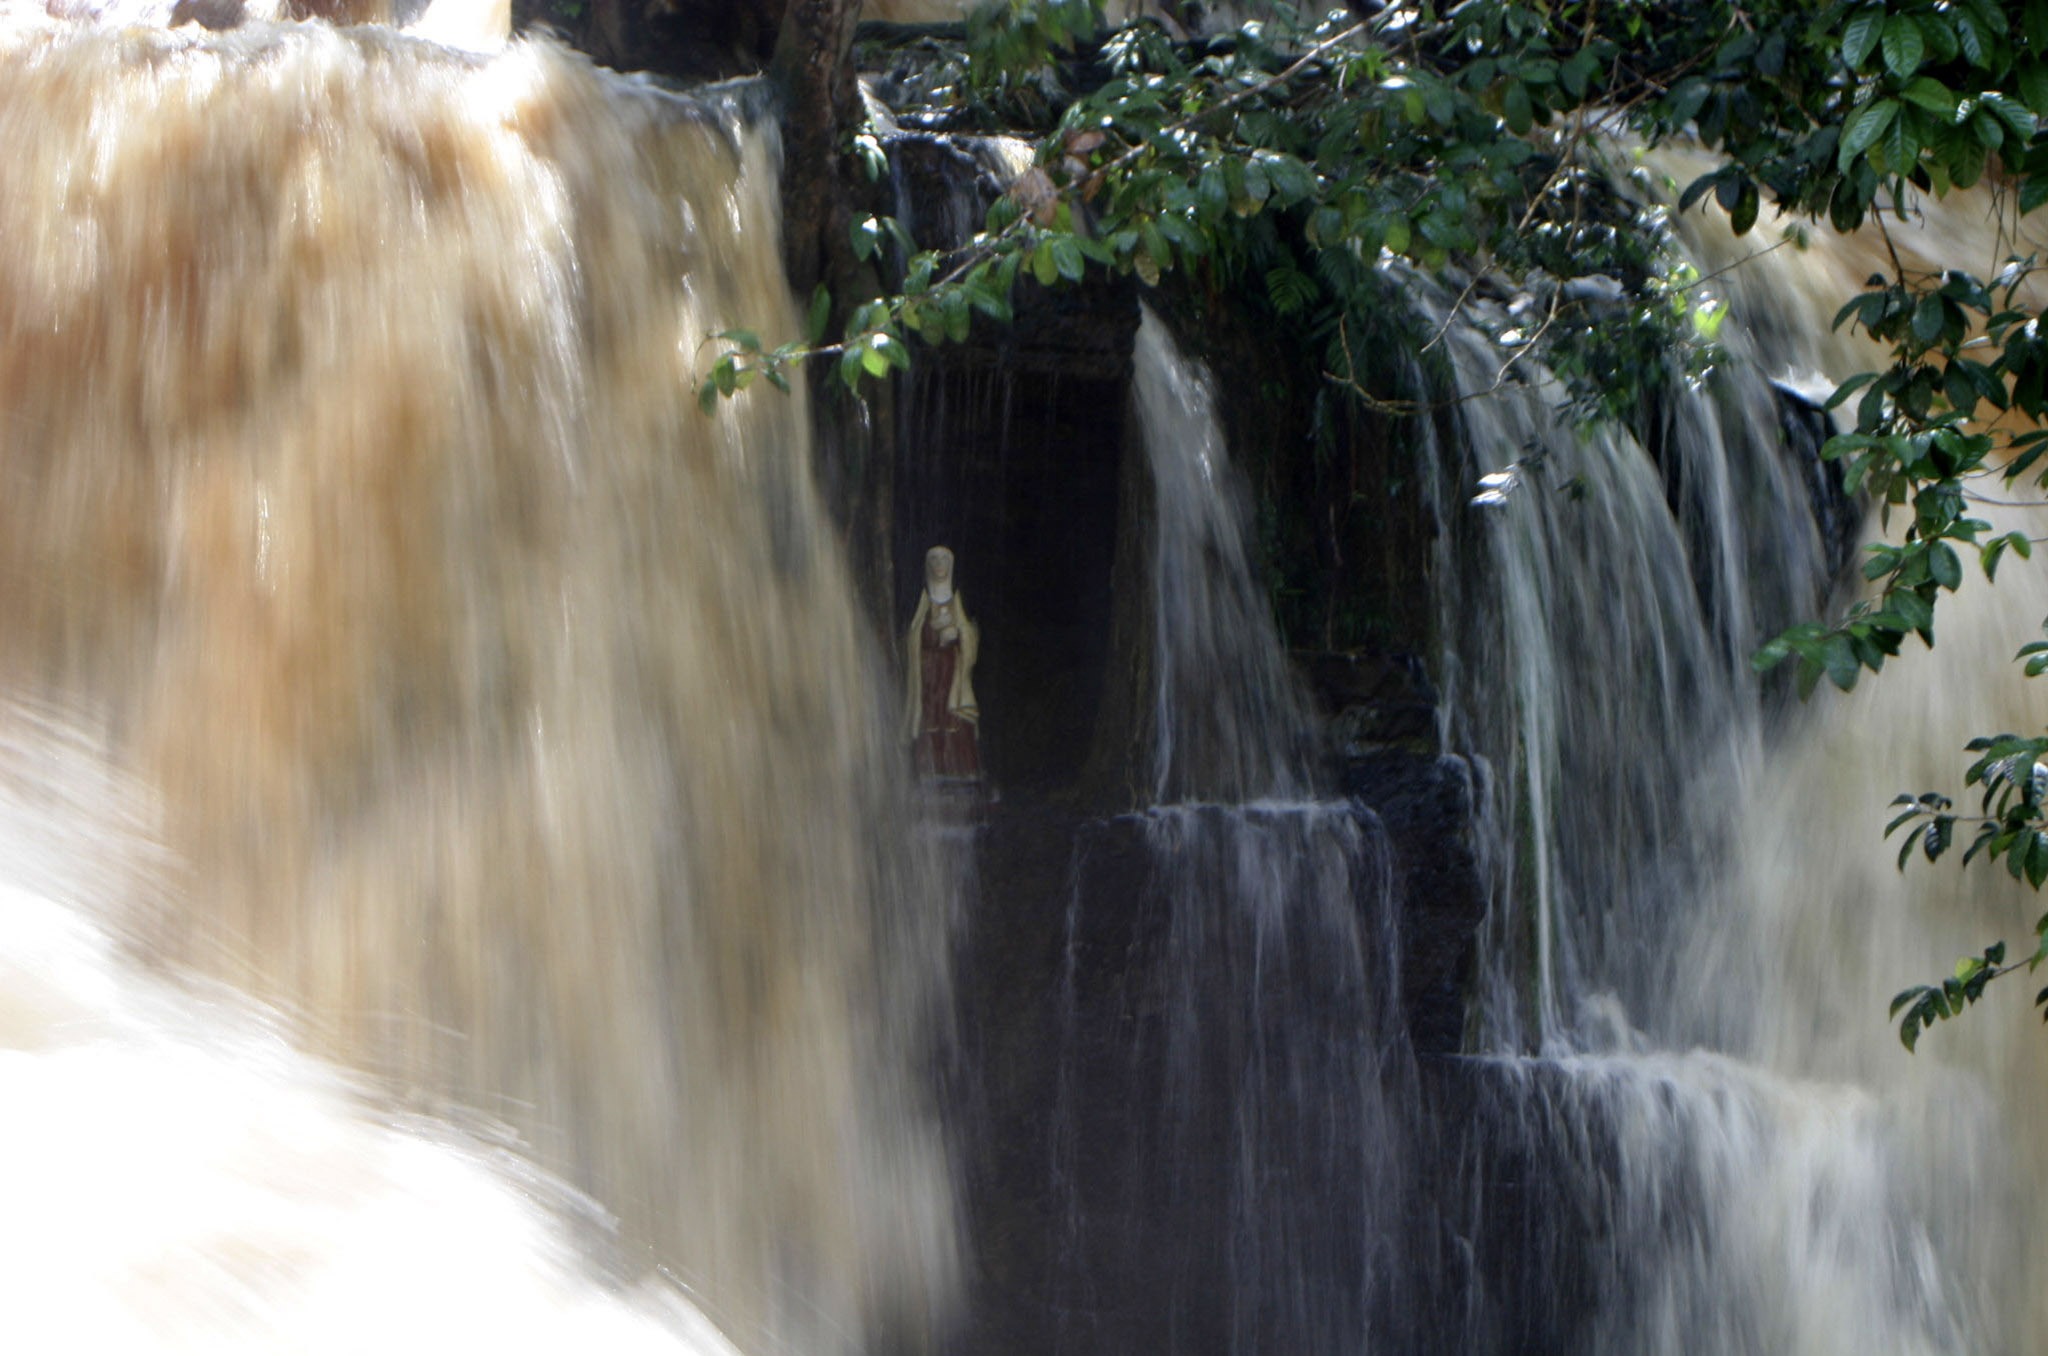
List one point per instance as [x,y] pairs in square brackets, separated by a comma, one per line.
[1230,1136]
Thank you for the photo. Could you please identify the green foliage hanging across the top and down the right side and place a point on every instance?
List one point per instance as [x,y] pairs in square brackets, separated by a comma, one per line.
[1289,165]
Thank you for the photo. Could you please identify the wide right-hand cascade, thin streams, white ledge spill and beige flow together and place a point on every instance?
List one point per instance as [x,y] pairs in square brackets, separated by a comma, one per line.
[1672,880]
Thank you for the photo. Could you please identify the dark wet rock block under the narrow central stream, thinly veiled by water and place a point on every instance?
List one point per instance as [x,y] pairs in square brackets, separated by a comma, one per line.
[1183,1119]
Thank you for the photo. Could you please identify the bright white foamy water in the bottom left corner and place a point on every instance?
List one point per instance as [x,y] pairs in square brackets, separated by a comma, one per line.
[175,1177]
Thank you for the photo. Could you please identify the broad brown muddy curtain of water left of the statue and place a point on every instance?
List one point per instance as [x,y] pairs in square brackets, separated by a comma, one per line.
[511,718]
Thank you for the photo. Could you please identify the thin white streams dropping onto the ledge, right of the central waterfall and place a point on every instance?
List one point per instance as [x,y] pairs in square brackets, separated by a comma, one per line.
[1601,607]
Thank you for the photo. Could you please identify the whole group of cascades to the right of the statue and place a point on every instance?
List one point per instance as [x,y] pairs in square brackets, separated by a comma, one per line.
[1687,1128]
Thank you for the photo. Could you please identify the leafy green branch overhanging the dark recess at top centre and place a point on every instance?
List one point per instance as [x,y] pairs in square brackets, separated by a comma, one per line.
[1297,159]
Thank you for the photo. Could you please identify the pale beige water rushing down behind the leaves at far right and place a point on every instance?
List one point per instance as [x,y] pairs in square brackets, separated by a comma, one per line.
[1824,921]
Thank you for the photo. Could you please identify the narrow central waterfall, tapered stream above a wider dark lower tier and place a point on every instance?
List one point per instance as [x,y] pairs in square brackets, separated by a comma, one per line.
[1228,1138]
